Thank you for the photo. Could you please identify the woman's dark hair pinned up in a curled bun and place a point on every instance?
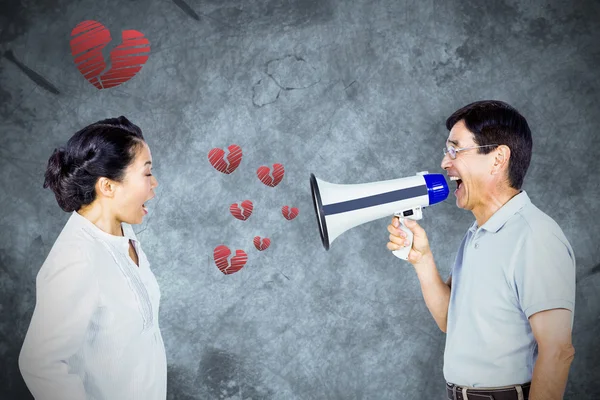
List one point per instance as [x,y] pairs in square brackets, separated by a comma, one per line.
[102,149]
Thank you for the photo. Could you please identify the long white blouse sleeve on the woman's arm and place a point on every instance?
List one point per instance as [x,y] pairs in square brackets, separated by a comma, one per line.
[66,297]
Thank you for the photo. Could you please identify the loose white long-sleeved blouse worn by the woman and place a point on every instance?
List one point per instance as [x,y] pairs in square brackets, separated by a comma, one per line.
[94,333]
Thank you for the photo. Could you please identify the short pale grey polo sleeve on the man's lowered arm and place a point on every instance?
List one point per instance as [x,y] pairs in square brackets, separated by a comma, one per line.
[545,275]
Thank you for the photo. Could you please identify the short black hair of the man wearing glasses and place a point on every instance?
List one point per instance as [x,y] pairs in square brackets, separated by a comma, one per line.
[495,122]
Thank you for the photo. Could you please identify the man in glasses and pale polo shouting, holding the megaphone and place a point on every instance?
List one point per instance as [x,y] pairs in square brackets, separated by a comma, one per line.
[507,307]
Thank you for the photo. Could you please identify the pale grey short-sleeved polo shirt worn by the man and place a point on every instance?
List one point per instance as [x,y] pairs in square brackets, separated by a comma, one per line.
[518,263]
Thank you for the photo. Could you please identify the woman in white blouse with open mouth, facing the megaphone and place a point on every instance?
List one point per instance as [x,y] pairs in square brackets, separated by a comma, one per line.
[94,332]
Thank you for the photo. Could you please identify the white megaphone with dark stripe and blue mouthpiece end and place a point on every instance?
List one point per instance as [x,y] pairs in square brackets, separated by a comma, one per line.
[342,207]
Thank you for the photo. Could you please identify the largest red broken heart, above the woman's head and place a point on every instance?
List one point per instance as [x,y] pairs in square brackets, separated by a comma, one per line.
[127,59]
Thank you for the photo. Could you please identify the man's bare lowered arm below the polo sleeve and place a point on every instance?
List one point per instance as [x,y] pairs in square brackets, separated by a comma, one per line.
[552,331]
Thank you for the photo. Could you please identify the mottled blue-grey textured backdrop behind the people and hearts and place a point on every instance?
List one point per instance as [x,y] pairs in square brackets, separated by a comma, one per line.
[353,91]
